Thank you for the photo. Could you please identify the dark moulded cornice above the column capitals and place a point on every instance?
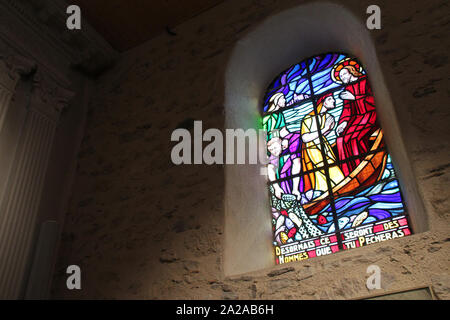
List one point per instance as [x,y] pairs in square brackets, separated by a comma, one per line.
[45,22]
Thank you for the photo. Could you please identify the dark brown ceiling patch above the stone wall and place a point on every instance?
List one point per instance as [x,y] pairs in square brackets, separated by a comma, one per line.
[128,24]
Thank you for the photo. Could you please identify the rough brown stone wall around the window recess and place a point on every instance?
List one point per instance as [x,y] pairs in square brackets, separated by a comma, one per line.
[141,227]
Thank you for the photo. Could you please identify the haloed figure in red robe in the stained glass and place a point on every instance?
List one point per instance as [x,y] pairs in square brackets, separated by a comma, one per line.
[358,118]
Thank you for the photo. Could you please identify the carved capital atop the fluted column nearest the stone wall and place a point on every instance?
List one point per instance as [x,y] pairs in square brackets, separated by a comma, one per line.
[49,98]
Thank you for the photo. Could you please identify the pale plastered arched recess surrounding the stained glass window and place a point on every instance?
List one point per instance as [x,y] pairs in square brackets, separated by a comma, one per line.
[277,43]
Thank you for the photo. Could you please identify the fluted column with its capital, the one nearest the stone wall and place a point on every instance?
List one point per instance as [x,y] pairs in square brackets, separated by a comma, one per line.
[19,208]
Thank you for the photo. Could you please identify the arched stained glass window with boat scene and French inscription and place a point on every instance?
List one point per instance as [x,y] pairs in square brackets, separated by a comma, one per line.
[332,183]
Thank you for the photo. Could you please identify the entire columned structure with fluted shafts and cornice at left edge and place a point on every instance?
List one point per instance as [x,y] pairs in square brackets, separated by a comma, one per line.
[34,28]
